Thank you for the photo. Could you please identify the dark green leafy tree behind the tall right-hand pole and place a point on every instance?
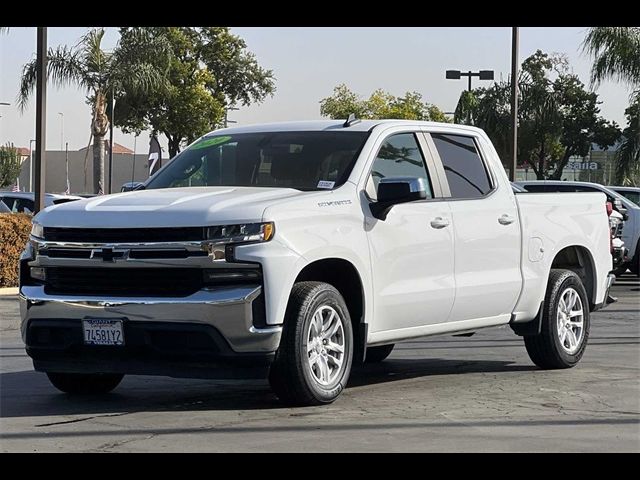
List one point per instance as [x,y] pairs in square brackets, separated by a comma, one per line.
[557,118]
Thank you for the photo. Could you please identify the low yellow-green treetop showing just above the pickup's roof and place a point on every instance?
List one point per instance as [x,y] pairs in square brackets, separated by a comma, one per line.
[379,105]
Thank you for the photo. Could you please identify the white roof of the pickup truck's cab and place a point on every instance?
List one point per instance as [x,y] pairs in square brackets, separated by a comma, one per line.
[321,125]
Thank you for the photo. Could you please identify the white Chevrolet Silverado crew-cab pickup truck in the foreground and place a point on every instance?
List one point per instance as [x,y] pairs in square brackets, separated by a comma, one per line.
[295,250]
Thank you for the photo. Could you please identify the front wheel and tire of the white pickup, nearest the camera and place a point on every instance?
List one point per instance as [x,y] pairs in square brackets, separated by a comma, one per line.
[294,376]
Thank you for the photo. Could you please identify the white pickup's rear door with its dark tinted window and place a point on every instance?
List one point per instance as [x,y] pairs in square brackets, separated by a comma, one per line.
[486,227]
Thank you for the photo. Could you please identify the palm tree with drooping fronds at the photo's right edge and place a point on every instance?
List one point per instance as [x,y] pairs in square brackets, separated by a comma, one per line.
[616,53]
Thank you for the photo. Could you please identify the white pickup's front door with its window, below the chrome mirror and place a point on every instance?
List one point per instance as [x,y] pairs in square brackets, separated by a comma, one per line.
[412,250]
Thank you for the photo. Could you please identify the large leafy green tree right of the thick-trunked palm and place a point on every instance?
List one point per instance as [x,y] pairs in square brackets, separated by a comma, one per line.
[209,70]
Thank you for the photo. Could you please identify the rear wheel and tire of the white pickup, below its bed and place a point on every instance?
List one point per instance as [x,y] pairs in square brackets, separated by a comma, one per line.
[546,349]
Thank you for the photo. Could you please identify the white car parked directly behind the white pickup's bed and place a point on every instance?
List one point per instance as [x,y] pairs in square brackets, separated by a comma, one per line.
[631,229]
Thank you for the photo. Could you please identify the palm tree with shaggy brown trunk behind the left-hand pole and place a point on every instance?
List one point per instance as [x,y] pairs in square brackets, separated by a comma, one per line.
[101,73]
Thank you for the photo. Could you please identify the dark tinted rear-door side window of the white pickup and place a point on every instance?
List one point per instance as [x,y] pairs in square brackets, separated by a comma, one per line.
[465,170]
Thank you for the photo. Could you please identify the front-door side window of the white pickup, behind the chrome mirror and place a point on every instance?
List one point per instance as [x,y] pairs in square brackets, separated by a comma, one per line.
[399,156]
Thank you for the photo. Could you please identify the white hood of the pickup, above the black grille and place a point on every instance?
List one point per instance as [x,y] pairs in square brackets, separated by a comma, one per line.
[175,207]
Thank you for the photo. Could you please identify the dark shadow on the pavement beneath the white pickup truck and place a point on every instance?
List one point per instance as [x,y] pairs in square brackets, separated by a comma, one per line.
[29,394]
